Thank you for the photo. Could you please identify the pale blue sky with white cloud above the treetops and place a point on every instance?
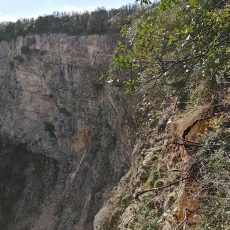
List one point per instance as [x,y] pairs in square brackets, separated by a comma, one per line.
[11,10]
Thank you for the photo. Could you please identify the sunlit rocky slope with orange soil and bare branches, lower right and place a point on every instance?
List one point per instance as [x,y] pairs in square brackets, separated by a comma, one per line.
[179,178]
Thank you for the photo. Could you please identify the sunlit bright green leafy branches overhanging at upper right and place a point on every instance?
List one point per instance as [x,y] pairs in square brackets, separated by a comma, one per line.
[173,42]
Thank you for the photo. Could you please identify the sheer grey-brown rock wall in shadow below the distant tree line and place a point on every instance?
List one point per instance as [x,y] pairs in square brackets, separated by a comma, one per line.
[63,133]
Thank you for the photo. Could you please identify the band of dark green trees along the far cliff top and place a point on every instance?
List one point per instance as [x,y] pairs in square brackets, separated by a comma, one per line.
[98,21]
